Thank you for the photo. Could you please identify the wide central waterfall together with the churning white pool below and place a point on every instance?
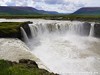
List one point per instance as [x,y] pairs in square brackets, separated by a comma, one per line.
[63,48]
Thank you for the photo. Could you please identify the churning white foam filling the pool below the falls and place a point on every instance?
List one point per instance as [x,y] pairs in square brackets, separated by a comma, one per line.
[63,55]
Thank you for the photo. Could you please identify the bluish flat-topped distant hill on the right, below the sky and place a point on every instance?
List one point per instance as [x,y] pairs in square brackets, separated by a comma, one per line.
[88,11]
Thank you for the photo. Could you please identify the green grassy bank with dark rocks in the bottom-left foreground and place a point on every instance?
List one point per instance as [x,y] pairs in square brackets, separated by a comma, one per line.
[24,67]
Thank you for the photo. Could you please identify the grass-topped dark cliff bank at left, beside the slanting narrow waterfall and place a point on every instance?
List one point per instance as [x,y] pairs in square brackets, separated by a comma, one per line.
[11,29]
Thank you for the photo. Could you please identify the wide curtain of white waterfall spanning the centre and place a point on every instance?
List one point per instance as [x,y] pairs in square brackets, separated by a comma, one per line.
[56,28]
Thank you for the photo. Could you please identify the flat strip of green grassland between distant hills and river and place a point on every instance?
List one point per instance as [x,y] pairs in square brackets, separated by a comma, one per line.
[57,17]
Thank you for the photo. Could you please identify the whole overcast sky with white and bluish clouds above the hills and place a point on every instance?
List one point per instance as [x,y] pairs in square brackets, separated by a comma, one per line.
[64,6]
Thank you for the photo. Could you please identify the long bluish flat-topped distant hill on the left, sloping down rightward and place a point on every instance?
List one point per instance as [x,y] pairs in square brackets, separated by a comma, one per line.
[18,10]
